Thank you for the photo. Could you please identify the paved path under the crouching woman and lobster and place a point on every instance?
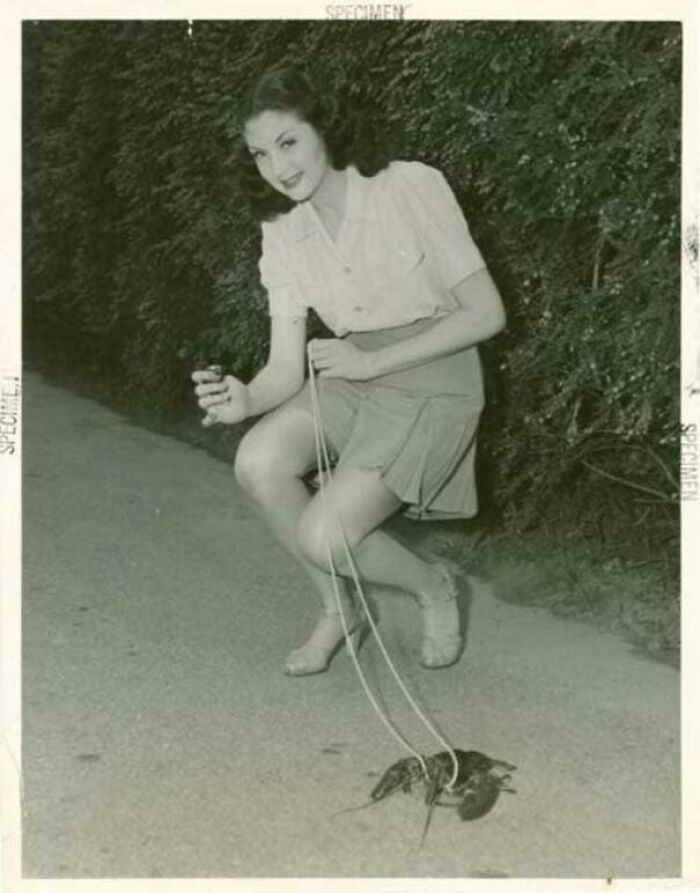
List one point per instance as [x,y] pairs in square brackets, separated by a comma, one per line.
[162,739]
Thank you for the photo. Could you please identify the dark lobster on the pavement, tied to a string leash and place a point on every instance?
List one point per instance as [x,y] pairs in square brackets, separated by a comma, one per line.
[479,781]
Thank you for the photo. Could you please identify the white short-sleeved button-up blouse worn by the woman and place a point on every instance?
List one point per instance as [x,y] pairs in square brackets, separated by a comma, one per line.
[402,245]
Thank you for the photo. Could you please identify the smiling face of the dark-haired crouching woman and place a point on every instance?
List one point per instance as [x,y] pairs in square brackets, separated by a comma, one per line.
[290,153]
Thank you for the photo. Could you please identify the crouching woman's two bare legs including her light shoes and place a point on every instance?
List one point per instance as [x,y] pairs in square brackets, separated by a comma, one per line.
[271,461]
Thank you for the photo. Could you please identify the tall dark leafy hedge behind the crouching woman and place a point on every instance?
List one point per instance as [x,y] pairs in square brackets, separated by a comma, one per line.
[562,141]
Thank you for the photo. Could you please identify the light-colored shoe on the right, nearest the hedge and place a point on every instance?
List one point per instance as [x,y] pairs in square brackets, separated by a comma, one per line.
[442,640]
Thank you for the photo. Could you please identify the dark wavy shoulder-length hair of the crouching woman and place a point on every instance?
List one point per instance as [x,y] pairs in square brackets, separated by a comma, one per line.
[346,121]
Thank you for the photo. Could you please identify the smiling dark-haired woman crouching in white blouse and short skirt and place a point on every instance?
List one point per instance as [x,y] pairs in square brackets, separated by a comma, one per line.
[382,253]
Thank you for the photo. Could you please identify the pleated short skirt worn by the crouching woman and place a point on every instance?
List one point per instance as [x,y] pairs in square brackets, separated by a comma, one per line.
[416,427]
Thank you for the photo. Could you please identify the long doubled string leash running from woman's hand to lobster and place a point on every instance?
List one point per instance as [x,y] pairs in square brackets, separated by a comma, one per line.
[324,473]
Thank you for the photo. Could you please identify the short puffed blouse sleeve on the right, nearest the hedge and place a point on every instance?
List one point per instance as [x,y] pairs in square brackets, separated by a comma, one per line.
[439,221]
